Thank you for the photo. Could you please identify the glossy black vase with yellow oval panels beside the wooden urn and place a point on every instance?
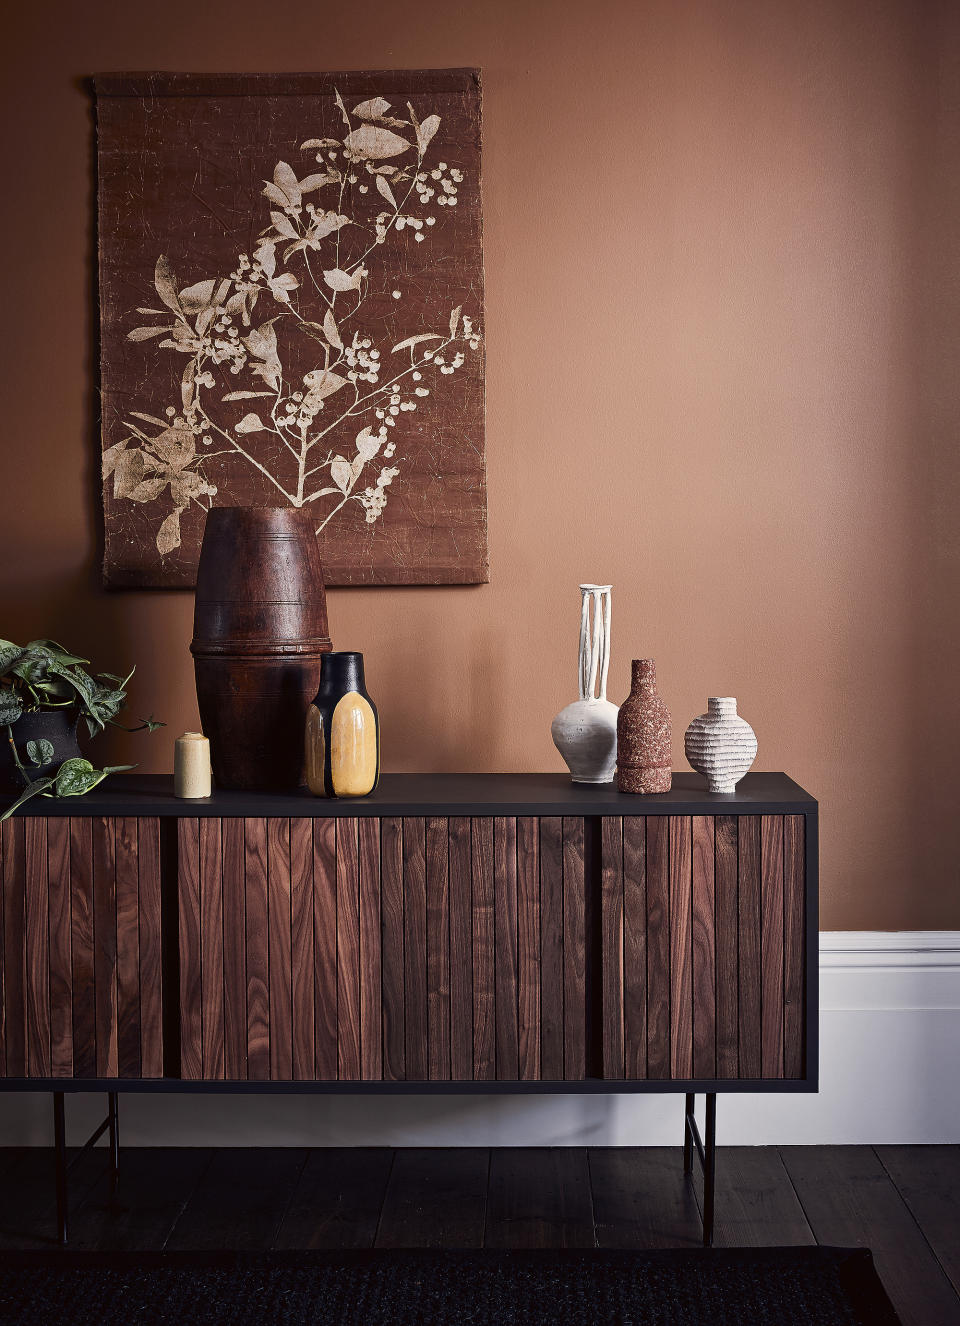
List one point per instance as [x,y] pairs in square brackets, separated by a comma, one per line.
[343,731]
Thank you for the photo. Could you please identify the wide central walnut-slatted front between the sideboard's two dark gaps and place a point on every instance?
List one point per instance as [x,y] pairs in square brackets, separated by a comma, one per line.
[409,950]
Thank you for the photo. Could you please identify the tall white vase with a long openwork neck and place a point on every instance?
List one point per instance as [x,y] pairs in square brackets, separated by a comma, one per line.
[585,733]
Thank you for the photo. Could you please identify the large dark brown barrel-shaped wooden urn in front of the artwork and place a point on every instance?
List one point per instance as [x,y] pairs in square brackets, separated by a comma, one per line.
[259,636]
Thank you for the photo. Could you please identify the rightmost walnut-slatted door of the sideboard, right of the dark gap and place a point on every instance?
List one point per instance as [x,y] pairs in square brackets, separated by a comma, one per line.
[703,947]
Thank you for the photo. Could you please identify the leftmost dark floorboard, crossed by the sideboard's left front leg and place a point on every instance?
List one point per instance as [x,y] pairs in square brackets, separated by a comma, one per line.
[29,1195]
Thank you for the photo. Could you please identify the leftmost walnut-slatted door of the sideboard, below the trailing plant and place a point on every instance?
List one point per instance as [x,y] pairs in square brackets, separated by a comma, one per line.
[82,941]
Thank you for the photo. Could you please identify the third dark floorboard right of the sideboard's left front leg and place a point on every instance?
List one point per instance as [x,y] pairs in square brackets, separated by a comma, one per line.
[339,1199]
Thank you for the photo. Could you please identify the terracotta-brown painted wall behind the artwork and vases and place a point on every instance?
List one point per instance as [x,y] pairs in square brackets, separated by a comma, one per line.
[722,319]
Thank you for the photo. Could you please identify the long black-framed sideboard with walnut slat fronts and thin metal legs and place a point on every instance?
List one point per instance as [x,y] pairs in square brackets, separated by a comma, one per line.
[450,933]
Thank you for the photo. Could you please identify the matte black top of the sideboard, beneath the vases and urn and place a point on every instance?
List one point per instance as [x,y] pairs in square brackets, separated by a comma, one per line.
[440,795]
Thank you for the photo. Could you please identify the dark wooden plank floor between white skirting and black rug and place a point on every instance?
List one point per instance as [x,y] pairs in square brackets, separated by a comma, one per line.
[901,1202]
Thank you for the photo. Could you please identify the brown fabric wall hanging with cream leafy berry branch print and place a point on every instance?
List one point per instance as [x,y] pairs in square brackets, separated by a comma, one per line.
[292,315]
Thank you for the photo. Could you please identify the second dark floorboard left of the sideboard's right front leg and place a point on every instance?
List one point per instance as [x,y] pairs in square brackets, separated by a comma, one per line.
[540,1198]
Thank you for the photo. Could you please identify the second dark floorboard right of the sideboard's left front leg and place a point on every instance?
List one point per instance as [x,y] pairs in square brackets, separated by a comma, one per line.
[241,1201]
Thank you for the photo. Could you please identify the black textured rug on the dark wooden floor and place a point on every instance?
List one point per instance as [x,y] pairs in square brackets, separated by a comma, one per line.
[821,1287]
